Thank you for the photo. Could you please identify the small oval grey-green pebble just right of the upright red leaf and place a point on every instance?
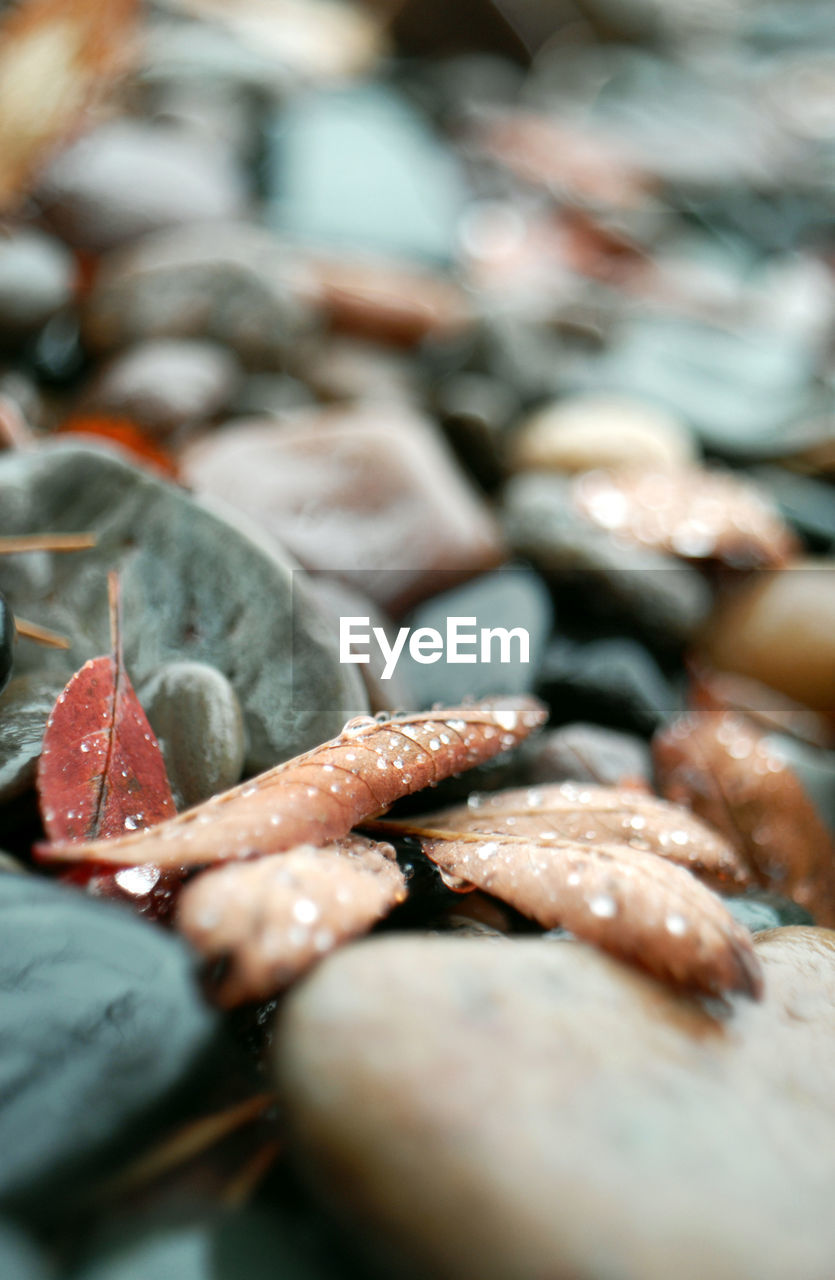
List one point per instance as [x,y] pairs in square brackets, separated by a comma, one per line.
[197,716]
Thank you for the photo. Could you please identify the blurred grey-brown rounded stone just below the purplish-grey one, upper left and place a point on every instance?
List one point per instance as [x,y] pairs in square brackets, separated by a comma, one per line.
[229,282]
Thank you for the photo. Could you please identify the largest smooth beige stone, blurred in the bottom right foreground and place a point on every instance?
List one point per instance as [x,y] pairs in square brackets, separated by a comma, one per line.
[577,1117]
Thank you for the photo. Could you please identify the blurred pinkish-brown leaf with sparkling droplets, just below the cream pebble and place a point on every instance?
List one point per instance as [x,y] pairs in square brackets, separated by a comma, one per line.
[693,514]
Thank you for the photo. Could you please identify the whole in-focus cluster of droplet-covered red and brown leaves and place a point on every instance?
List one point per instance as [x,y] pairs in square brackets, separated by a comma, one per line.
[271,876]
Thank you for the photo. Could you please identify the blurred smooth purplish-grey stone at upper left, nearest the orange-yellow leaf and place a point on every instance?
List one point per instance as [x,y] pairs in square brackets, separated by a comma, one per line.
[129,179]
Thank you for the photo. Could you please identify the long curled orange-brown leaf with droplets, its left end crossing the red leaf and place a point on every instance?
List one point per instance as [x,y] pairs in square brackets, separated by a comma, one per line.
[320,797]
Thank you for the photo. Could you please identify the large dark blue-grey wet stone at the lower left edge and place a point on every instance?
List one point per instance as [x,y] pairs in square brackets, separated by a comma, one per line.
[103,1018]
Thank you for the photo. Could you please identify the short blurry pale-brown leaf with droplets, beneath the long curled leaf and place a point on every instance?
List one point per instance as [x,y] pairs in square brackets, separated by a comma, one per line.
[273,918]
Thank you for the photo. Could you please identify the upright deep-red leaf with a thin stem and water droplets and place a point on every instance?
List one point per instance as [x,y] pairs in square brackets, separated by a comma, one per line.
[102,770]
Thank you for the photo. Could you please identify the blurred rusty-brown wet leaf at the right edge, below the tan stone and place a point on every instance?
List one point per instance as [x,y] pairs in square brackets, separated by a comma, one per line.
[728,772]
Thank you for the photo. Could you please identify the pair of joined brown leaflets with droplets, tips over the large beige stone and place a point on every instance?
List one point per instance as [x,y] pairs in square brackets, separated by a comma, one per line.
[601,863]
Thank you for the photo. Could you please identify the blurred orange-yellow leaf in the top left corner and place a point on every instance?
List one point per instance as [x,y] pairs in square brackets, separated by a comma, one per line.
[57,57]
